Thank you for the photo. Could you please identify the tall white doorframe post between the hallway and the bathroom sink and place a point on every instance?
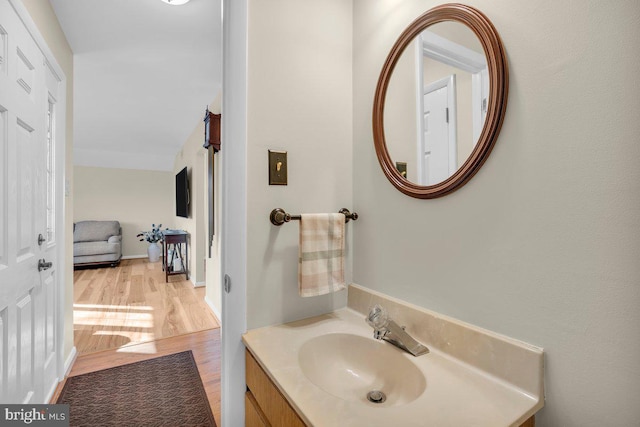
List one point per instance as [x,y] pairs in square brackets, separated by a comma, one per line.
[233,211]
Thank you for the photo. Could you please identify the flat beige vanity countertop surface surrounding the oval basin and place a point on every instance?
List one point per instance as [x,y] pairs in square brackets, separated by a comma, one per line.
[456,393]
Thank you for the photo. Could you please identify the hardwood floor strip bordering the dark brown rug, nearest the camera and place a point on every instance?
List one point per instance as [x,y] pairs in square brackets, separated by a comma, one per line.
[205,346]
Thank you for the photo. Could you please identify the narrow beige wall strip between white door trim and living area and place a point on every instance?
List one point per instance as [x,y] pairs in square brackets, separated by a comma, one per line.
[45,19]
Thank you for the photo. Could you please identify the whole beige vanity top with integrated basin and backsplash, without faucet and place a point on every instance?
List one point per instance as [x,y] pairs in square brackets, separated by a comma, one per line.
[325,366]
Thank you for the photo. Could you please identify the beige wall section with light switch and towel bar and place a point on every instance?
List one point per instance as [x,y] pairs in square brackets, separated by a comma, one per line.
[299,101]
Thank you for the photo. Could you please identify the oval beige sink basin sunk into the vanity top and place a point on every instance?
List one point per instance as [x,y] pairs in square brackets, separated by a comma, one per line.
[350,366]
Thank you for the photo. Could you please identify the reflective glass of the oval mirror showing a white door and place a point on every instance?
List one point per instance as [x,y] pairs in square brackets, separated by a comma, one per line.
[436,103]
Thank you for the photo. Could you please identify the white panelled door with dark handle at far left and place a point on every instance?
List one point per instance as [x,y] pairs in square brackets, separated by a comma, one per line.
[27,296]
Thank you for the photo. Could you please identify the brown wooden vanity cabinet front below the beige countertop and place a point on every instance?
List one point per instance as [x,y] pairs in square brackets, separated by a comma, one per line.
[268,399]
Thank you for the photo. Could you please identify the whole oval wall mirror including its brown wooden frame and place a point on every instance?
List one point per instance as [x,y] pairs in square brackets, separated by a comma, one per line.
[440,101]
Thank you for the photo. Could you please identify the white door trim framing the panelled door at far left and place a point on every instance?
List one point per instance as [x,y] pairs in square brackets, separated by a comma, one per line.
[60,185]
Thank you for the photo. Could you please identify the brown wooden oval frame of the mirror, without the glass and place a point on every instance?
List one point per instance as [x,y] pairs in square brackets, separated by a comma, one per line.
[496,108]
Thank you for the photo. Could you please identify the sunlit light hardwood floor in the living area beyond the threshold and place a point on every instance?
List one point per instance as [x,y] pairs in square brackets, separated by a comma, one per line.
[132,303]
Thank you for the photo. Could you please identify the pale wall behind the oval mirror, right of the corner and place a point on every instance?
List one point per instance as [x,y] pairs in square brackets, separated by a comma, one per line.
[543,243]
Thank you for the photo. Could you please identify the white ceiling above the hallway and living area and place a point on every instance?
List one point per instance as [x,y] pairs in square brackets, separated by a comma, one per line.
[144,72]
